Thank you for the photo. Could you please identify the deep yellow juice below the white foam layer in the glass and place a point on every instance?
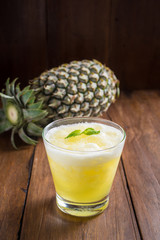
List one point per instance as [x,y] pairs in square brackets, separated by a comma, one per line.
[83,183]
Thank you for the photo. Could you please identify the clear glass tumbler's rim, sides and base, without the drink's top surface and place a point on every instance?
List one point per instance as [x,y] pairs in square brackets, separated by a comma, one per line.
[83,179]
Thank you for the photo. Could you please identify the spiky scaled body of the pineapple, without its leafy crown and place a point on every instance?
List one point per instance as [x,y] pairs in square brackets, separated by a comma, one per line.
[79,88]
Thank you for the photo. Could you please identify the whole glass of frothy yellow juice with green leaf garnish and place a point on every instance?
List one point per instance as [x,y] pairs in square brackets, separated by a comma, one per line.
[83,155]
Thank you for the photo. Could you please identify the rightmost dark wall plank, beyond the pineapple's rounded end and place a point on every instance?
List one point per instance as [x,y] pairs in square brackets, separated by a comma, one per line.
[134,48]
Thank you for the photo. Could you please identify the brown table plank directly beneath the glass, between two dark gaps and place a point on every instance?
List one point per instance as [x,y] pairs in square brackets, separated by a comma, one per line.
[43,220]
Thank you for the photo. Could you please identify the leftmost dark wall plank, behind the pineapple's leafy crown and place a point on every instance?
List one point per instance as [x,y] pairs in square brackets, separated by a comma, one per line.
[23,43]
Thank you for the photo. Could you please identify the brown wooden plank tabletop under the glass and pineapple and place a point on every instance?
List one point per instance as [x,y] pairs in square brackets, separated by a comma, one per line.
[27,197]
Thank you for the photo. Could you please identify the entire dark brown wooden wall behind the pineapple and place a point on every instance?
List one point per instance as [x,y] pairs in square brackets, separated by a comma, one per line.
[39,34]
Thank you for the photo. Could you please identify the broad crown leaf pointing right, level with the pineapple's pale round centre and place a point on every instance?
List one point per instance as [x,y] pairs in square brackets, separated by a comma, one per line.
[34,114]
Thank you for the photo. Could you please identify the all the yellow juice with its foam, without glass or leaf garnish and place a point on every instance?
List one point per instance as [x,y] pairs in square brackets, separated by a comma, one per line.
[83,167]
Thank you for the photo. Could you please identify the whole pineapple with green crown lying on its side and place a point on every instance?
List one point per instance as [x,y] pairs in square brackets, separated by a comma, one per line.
[80,88]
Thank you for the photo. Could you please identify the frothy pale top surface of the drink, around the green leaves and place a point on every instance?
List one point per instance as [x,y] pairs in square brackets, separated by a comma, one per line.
[107,138]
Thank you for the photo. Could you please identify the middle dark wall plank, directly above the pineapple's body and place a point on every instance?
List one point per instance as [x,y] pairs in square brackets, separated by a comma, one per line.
[78,30]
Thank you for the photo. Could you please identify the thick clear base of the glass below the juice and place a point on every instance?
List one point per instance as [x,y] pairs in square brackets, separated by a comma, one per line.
[82,209]
